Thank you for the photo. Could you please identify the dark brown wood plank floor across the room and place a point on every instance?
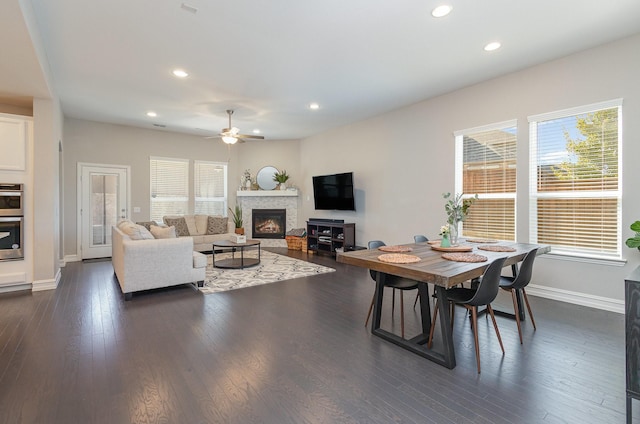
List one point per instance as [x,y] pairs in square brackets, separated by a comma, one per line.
[290,352]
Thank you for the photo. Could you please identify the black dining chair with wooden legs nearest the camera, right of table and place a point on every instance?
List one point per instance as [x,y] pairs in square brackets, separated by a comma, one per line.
[482,295]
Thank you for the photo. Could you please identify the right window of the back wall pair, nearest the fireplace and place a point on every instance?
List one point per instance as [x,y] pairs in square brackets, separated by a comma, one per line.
[210,186]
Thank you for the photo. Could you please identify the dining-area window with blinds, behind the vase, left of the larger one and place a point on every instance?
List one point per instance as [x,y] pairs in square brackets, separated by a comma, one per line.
[486,166]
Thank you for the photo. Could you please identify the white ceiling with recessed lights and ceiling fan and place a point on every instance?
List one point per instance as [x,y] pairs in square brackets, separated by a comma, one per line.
[111,60]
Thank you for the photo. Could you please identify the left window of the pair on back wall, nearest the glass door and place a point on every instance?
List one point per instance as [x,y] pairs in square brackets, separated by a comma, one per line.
[169,187]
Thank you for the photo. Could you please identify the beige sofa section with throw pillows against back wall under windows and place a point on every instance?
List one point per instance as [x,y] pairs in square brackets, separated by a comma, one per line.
[196,229]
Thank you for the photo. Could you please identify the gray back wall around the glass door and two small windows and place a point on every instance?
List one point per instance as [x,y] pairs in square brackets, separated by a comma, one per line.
[100,143]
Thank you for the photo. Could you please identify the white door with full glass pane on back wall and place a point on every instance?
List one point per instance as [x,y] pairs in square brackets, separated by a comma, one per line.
[104,201]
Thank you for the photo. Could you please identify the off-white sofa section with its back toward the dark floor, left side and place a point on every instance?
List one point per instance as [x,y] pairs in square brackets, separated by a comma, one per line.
[152,263]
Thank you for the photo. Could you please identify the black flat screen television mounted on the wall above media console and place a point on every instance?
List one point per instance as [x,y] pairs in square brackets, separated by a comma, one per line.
[334,192]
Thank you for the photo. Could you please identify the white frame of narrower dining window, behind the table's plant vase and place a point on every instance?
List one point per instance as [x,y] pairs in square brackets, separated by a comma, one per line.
[459,166]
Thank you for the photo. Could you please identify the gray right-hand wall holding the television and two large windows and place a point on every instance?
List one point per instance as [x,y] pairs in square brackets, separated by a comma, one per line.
[403,161]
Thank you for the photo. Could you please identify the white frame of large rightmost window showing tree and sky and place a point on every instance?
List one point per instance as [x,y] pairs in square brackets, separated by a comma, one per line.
[534,195]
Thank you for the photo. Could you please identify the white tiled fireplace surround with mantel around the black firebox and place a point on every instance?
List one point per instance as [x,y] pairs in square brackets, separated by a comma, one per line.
[268,199]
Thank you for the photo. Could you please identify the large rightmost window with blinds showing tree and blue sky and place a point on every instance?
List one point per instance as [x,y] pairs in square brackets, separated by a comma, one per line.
[575,180]
